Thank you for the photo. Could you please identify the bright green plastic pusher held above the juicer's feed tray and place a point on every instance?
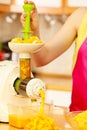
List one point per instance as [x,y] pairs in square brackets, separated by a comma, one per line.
[27,30]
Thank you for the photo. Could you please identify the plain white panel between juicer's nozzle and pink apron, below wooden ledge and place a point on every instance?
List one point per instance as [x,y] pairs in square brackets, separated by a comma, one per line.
[58,98]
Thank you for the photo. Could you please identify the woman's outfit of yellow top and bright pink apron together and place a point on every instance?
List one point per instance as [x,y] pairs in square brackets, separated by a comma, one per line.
[79,74]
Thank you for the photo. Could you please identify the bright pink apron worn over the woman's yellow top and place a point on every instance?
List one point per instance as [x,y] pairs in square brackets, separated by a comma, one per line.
[79,90]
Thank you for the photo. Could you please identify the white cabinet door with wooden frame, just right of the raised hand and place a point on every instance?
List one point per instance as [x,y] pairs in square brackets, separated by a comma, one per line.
[50,6]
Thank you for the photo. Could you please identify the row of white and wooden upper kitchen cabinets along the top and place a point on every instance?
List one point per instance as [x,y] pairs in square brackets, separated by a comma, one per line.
[58,7]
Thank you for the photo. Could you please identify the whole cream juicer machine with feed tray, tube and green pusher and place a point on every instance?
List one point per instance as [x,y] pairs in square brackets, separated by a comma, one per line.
[18,86]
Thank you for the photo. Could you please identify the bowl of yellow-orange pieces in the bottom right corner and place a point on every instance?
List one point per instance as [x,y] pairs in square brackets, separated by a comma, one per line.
[77,119]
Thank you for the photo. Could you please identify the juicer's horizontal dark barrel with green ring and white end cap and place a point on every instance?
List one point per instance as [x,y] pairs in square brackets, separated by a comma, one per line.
[29,87]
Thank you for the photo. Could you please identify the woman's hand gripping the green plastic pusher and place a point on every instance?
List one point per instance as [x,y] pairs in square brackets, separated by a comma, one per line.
[34,20]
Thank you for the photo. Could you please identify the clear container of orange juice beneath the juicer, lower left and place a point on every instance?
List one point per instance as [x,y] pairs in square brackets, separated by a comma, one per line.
[19,114]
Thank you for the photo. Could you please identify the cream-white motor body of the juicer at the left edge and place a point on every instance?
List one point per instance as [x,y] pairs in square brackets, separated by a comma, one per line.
[9,71]
